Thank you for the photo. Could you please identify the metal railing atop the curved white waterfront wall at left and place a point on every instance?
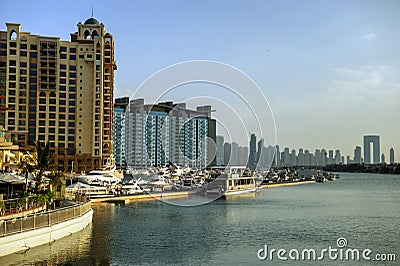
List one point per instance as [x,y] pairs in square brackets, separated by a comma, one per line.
[40,220]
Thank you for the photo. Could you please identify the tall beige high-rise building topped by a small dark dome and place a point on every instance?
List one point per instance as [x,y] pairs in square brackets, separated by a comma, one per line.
[60,91]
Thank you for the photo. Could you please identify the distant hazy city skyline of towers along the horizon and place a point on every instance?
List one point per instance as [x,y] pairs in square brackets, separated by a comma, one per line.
[263,155]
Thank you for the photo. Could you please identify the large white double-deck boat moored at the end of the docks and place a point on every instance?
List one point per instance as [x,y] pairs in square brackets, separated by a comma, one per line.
[237,180]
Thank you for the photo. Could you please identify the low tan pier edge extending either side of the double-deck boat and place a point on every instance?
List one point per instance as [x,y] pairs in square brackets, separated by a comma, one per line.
[178,194]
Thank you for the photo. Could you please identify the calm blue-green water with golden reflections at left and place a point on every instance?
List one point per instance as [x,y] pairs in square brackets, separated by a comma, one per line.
[363,208]
